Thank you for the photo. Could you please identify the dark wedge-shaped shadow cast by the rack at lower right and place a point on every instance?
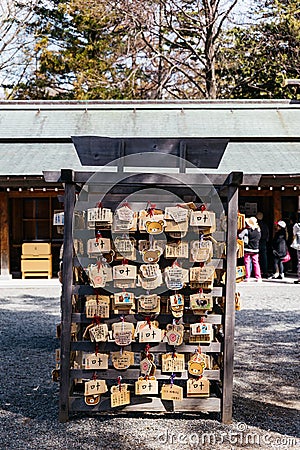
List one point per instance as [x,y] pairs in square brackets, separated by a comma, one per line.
[267,416]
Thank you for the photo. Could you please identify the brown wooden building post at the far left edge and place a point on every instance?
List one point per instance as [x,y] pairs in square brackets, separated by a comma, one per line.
[4,237]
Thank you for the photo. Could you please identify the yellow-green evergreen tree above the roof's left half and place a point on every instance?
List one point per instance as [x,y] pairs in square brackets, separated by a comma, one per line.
[82,52]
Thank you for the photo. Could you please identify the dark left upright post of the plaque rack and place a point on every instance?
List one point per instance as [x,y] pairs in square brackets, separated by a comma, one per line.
[69,201]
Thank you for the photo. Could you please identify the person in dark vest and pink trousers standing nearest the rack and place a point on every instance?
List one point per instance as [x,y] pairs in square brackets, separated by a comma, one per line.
[251,236]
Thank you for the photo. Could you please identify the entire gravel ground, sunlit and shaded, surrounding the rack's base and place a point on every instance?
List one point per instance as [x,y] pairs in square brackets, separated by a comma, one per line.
[266,382]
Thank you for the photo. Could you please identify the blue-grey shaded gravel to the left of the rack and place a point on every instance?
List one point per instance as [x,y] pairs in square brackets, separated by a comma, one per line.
[28,346]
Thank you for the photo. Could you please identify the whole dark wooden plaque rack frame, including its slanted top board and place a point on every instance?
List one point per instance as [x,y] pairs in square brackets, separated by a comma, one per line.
[98,151]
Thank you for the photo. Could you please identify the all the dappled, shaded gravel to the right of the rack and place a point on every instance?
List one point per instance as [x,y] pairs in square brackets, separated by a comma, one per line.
[267,370]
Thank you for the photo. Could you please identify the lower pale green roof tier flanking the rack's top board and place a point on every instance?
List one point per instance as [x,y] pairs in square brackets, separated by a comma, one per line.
[33,159]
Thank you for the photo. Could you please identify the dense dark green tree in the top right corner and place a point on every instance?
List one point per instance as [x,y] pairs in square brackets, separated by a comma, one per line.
[258,59]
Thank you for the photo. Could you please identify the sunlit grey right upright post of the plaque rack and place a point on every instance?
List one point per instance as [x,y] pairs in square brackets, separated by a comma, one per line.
[231,248]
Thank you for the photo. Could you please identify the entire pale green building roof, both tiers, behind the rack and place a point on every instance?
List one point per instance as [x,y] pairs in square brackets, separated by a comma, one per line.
[23,124]
